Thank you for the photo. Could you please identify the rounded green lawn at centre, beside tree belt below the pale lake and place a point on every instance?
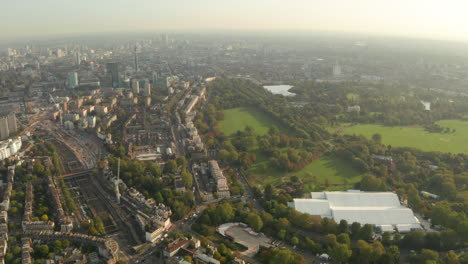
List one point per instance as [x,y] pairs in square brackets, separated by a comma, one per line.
[238,118]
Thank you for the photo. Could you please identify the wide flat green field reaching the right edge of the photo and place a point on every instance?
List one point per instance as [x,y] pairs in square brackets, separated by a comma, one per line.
[417,137]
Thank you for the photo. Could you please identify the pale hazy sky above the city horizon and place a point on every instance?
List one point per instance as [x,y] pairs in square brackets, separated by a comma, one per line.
[441,19]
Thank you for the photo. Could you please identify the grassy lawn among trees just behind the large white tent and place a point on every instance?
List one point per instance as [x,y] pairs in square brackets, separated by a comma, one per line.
[336,170]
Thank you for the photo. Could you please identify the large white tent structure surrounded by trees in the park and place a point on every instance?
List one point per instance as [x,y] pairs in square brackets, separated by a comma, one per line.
[381,209]
